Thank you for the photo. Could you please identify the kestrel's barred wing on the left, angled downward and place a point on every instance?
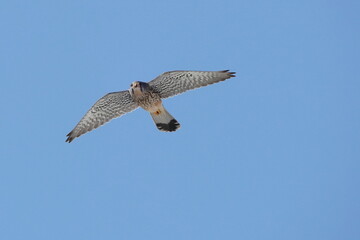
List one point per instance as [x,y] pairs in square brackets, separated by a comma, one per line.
[110,106]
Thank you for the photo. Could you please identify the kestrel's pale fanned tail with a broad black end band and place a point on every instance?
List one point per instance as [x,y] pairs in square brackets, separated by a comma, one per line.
[164,121]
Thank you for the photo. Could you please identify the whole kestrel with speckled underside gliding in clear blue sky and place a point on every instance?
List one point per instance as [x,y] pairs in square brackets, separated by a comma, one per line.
[149,97]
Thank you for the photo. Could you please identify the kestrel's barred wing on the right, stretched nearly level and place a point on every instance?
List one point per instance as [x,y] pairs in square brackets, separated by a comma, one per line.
[172,83]
